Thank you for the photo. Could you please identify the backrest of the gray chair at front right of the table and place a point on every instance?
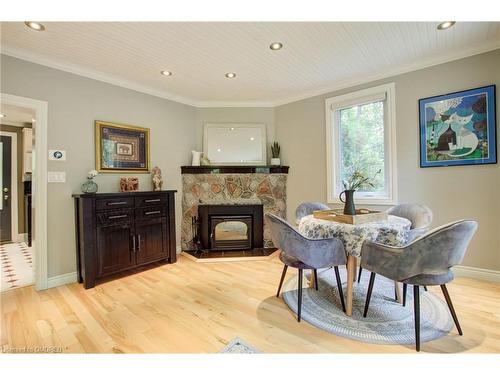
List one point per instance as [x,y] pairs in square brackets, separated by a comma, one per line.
[439,249]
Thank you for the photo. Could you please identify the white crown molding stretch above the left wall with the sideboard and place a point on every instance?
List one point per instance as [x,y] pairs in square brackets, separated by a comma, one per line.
[92,74]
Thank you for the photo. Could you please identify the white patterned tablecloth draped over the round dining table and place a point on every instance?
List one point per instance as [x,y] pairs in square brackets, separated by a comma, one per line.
[393,231]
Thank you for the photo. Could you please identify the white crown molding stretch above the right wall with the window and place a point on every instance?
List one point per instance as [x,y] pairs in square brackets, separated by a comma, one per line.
[391,72]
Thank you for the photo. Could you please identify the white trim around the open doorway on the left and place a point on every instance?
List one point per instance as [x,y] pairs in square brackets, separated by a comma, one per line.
[39,182]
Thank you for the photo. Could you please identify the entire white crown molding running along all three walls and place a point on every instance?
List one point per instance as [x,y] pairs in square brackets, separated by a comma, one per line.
[359,80]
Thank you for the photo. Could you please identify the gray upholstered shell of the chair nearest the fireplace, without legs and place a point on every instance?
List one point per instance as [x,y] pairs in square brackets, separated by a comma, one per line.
[317,253]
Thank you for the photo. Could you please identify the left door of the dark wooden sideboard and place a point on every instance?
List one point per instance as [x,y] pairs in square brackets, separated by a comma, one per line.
[115,248]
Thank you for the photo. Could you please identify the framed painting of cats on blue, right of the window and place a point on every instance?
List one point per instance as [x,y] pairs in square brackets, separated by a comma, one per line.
[458,128]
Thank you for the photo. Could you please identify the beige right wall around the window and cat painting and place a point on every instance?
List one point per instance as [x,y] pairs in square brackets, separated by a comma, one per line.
[452,193]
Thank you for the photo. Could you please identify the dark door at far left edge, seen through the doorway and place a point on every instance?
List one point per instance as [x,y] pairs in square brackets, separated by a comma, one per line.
[6,185]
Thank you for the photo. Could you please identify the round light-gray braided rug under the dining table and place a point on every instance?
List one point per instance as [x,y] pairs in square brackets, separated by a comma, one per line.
[387,322]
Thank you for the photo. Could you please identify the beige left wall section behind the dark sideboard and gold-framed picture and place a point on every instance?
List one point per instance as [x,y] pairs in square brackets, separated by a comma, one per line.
[74,102]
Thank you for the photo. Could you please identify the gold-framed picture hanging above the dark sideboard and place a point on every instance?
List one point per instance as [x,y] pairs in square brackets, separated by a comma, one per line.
[121,148]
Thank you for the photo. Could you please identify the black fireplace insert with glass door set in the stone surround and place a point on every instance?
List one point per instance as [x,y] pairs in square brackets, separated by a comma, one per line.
[230,226]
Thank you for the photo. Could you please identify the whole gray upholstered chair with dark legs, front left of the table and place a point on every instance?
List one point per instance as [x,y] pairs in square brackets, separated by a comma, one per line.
[302,253]
